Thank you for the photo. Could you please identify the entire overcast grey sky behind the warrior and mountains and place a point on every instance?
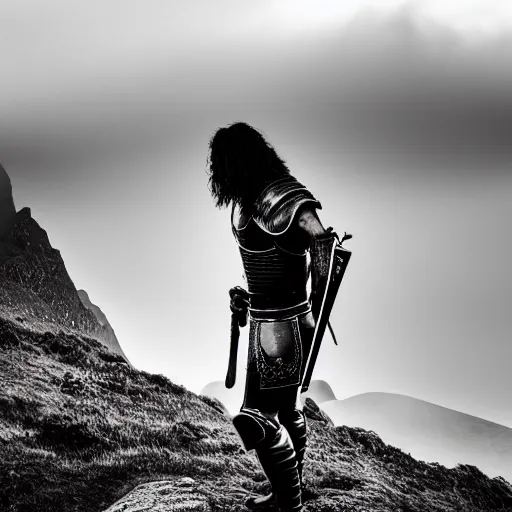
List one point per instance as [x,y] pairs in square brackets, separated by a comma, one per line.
[397,115]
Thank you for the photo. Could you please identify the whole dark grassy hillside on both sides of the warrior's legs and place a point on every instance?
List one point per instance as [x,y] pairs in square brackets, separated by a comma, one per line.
[79,428]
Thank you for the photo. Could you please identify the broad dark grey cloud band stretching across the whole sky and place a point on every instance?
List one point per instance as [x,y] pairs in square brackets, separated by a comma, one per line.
[383,90]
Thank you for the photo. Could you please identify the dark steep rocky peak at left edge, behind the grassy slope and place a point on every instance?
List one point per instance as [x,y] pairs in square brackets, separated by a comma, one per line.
[35,287]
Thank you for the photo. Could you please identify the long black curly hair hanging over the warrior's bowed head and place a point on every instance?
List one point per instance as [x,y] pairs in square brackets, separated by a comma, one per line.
[240,164]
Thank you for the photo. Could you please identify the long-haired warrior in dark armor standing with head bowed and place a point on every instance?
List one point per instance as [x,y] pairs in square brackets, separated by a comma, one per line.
[275,223]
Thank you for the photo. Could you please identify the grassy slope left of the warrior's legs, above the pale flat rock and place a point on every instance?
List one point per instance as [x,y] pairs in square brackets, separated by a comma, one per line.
[79,427]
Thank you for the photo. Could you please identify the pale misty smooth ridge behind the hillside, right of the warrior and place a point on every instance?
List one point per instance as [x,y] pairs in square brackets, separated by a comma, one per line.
[427,431]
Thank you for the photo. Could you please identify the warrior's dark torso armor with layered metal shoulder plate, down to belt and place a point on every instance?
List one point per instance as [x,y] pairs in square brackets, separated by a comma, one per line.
[273,249]
